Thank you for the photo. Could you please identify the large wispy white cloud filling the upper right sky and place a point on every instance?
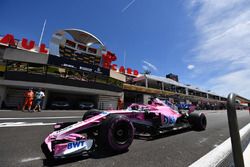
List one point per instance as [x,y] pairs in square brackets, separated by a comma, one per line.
[223,46]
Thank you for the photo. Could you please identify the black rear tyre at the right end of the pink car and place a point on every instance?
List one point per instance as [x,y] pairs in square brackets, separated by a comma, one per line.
[198,121]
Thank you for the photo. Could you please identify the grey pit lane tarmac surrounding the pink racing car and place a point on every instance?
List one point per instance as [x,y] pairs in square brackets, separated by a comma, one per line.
[20,145]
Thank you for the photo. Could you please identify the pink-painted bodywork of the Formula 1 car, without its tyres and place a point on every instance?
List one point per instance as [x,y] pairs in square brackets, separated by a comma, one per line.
[134,111]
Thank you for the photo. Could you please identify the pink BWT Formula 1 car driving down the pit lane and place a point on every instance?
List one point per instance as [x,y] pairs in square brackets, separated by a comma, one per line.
[115,129]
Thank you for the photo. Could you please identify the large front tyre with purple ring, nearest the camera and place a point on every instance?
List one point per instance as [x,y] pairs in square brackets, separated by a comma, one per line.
[116,133]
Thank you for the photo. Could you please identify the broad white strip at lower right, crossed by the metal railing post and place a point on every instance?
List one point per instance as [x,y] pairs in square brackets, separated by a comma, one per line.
[222,155]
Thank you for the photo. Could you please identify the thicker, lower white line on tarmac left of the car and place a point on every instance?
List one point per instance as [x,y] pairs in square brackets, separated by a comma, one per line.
[22,124]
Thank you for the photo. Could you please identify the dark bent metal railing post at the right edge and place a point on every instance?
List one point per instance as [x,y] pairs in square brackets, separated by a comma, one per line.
[234,129]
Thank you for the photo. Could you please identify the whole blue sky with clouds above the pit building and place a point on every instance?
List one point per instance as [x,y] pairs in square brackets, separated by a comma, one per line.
[195,39]
